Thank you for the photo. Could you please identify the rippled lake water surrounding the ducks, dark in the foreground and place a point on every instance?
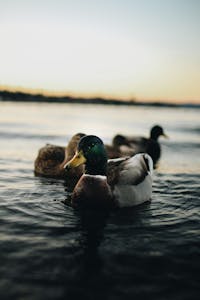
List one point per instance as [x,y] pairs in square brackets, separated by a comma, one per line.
[50,251]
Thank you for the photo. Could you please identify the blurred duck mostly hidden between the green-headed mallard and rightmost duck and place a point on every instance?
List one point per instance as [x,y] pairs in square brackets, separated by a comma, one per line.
[120,147]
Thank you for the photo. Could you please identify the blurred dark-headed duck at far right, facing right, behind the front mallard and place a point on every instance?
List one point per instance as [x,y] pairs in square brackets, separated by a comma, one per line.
[147,145]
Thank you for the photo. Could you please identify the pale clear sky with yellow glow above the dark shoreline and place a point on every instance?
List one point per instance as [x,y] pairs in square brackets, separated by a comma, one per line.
[142,49]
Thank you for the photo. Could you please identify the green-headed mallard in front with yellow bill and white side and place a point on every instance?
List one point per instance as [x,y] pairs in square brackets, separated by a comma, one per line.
[114,183]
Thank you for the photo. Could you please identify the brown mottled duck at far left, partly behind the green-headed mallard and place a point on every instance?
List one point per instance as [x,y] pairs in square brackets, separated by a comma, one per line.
[52,158]
